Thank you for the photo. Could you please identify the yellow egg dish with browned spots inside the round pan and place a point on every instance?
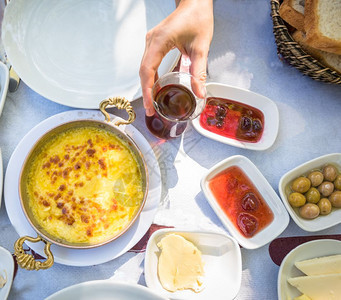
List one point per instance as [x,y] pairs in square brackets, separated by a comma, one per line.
[84,186]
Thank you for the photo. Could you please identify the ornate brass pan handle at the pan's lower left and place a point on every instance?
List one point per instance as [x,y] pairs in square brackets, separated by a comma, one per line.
[27,261]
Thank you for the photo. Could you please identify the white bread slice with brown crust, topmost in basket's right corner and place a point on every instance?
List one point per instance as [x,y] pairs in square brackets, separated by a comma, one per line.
[322,23]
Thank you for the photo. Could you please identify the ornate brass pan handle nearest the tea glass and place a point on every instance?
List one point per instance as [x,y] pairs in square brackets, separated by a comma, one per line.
[120,103]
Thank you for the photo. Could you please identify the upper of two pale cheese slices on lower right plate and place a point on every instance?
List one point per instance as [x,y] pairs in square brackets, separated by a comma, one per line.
[320,265]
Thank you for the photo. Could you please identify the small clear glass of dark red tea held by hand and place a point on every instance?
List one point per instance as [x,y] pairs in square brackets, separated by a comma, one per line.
[178,97]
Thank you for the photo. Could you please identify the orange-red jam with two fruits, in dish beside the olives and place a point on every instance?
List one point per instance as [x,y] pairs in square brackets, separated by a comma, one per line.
[241,201]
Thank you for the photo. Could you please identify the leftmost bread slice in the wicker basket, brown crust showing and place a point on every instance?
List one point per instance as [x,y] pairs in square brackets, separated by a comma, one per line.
[292,12]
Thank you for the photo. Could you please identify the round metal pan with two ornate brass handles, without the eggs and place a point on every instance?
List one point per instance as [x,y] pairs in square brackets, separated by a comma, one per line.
[28,261]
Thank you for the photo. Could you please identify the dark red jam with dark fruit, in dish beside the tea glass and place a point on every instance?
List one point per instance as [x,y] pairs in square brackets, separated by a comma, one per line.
[232,119]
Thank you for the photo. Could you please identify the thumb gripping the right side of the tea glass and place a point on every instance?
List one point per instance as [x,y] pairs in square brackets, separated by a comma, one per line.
[198,70]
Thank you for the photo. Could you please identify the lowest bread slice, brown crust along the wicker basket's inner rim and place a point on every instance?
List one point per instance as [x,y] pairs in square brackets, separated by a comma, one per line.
[331,60]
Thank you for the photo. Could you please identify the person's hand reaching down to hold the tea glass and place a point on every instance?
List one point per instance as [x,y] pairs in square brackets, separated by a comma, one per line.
[189,28]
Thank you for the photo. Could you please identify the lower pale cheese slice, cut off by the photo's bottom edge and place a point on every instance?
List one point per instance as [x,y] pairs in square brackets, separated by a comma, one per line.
[319,287]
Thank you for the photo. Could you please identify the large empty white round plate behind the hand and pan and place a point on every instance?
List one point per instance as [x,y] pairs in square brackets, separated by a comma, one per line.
[78,53]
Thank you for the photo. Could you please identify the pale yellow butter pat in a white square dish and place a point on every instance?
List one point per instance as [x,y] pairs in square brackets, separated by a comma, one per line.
[180,264]
